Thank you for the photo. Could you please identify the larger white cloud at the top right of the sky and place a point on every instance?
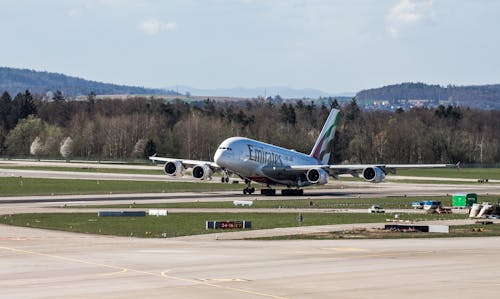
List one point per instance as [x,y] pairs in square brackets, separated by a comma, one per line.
[408,13]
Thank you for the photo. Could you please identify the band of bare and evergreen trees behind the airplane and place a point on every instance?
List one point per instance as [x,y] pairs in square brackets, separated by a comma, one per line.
[133,128]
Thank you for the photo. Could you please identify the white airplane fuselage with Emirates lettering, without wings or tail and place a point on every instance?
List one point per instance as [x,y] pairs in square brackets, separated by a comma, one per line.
[249,158]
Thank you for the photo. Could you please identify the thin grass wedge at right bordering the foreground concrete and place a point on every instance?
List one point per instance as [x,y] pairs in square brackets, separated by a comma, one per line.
[456,231]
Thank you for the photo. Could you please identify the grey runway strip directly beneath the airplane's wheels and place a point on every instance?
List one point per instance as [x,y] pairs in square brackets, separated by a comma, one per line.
[31,204]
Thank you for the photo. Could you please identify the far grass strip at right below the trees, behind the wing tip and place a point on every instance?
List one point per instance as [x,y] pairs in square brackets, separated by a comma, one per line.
[465,173]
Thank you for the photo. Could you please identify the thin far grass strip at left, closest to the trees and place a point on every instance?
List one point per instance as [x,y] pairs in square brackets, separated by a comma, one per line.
[86,169]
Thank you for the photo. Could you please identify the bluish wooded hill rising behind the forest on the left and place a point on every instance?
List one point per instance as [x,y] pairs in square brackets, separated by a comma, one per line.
[16,80]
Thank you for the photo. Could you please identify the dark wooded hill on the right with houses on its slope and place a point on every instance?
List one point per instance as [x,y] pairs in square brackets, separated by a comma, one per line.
[477,96]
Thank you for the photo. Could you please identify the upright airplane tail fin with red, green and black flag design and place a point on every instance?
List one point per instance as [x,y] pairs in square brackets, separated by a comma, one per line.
[323,147]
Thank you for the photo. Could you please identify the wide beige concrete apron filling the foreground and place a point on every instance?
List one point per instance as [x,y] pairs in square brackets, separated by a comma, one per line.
[46,264]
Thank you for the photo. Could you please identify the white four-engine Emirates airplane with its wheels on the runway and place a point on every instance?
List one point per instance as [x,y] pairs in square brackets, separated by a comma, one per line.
[271,165]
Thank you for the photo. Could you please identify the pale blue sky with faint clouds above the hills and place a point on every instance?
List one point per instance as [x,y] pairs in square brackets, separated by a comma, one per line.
[333,45]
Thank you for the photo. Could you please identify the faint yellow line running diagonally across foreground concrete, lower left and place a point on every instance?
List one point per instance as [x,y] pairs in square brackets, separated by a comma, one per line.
[161,275]
